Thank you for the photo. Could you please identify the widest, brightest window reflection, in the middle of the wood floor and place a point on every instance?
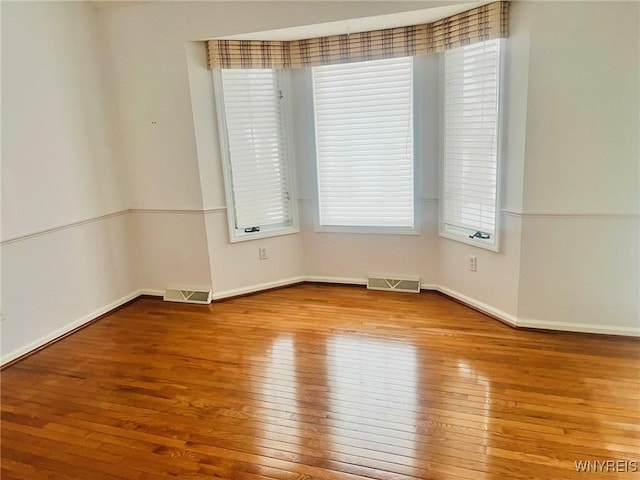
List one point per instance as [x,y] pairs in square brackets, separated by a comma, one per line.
[380,377]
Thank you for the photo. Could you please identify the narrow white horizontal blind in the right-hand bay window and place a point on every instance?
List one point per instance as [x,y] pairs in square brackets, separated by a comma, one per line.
[471,109]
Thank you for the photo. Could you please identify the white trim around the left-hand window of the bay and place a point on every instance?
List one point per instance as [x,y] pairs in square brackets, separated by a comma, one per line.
[235,234]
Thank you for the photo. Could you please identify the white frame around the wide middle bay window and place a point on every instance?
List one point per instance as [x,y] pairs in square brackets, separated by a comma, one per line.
[417,151]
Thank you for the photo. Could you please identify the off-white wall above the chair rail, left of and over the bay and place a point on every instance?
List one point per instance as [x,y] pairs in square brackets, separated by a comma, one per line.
[152,77]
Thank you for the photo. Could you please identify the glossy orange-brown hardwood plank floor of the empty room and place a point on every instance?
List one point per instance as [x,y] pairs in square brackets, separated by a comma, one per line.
[320,382]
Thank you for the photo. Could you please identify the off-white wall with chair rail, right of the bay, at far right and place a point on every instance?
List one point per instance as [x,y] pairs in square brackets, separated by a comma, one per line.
[580,243]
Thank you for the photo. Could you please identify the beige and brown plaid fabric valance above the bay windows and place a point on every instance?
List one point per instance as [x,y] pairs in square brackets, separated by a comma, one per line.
[475,25]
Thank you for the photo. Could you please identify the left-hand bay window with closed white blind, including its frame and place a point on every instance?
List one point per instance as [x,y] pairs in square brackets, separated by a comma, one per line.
[252,120]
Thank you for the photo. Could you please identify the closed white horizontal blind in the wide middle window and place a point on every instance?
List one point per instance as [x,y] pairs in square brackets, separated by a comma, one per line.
[364,141]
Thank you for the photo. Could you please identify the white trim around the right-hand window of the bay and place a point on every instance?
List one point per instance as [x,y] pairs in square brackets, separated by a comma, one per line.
[460,234]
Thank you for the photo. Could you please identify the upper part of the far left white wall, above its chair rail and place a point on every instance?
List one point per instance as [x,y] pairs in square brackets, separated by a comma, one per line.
[57,128]
